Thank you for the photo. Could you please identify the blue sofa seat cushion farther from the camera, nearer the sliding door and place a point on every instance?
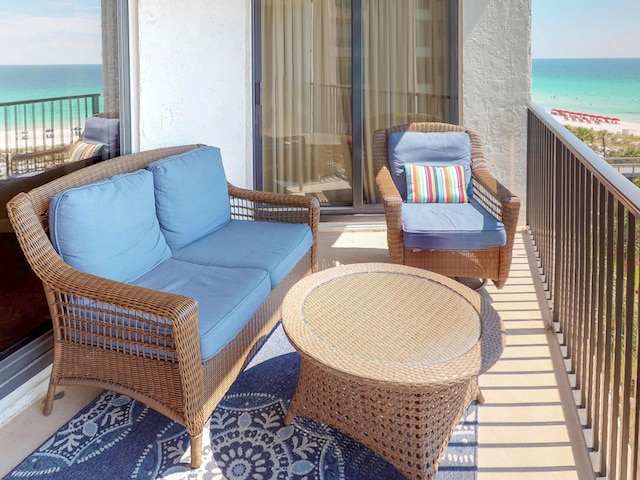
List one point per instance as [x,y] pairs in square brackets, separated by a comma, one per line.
[271,246]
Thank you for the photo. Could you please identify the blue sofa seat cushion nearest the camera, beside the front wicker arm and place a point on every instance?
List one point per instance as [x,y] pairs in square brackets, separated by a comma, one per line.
[227,298]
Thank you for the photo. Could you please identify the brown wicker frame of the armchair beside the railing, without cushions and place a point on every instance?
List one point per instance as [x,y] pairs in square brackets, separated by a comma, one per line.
[486,263]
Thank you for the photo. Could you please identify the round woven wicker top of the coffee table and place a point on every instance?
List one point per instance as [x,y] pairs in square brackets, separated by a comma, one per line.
[392,323]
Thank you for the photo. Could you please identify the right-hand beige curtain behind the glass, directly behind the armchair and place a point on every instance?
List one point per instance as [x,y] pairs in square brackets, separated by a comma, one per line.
[404,67]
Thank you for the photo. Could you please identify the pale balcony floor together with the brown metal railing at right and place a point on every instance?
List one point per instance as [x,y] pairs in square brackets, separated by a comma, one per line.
[561,401]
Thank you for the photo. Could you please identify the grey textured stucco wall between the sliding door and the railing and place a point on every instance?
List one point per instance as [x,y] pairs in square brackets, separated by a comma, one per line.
[496,73]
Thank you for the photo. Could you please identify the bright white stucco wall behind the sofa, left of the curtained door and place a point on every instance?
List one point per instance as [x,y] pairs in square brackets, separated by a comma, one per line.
[193,78]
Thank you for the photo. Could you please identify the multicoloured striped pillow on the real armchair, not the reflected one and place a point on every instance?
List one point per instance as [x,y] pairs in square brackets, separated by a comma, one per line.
[427,184]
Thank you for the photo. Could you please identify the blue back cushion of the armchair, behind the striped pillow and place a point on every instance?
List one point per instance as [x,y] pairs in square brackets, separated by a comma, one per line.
[428,148]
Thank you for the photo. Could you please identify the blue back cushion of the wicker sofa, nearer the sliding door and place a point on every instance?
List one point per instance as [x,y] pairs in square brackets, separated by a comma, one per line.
[192,198]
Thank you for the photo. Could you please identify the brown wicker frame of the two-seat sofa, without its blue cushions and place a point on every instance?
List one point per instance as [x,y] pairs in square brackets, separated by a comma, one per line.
[156,358]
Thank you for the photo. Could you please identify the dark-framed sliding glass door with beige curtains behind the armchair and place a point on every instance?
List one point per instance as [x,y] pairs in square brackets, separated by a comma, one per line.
[329,73]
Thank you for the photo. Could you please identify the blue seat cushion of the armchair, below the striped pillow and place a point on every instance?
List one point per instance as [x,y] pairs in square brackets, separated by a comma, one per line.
[450,226]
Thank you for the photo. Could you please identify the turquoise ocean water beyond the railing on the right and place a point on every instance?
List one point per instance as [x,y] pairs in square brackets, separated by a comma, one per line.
[603,86]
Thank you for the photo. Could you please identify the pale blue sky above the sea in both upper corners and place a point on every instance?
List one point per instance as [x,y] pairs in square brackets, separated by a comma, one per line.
[68,31]
